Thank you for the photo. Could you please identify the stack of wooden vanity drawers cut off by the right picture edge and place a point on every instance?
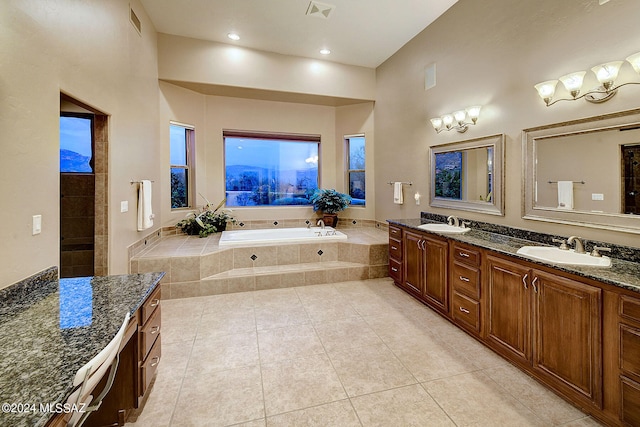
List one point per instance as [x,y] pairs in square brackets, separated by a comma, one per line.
[629,360]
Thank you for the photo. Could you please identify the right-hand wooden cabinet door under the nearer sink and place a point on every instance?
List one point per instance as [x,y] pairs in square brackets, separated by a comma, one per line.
[567,334]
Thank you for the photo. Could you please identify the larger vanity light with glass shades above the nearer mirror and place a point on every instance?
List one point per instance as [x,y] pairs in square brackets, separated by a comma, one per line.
[606,74]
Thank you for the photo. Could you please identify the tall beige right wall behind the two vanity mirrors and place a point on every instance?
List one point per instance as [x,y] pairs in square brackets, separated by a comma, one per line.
[491,53]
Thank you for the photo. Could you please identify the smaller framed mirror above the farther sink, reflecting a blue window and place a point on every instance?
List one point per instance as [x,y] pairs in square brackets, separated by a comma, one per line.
[468,175]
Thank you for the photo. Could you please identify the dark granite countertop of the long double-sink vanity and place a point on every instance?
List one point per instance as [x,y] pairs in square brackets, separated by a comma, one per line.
[622,273]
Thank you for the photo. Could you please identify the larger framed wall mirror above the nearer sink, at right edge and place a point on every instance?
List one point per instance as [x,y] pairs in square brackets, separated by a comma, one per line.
[584,172]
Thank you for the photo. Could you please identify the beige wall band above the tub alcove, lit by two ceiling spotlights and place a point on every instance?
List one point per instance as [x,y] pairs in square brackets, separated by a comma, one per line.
[199,61]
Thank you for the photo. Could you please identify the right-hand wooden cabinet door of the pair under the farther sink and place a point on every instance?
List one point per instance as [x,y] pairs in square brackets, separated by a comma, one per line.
[436,291]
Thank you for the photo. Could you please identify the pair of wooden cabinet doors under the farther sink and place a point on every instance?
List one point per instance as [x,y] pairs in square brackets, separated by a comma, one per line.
[425,268]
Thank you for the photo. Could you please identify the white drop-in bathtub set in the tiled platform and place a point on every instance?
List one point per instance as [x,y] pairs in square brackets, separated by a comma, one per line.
[279,235]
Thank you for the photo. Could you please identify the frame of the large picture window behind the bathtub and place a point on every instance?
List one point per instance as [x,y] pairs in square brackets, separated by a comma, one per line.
[275,136]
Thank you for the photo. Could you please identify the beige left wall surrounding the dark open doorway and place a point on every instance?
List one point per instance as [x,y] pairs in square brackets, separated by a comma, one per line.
[90,51]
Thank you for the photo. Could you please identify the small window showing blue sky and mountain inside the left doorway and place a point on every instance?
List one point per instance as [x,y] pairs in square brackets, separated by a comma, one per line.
[76,143]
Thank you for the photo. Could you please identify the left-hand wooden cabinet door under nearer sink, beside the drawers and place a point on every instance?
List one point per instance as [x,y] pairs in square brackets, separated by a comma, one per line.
[508,314]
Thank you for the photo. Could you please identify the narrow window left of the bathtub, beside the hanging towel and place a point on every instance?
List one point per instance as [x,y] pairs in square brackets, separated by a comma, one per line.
[182,140]
